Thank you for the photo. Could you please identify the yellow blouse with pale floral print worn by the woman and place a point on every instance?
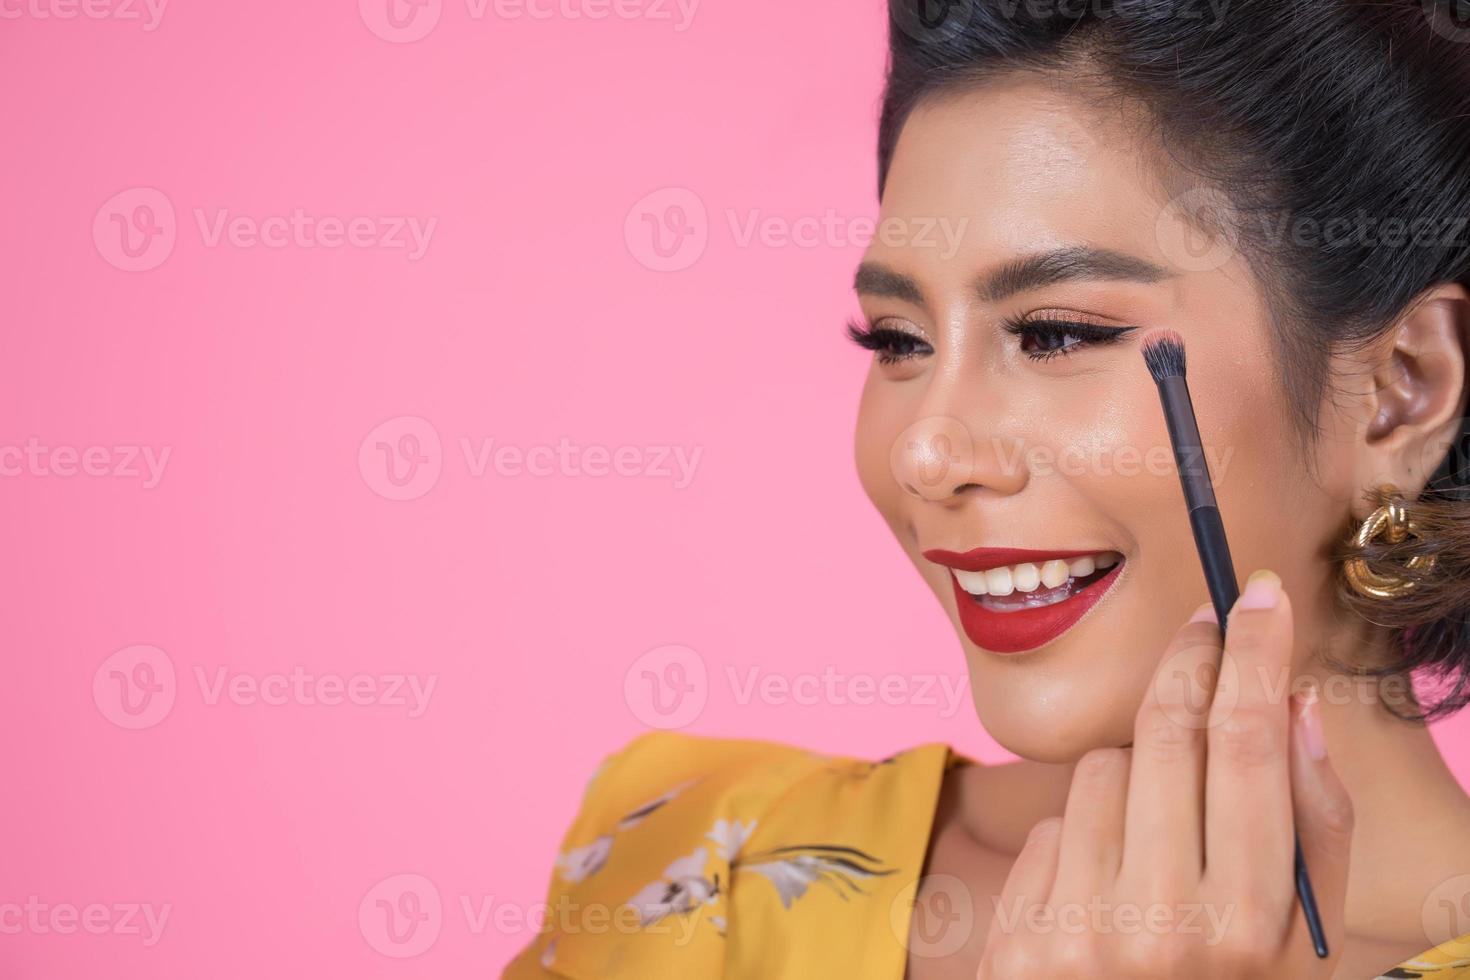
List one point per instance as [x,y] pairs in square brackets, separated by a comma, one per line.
[699,859]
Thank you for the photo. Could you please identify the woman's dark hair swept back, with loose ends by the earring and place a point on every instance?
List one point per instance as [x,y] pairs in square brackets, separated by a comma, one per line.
[1322,114]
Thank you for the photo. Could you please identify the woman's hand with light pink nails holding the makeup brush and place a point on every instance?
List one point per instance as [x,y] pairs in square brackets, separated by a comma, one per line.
[1174,859]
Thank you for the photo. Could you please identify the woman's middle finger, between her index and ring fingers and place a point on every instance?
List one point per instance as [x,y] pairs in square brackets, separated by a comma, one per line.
[1164,841]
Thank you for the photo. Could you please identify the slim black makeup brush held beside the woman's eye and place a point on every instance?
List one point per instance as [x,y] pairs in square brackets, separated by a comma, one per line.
[1165,355]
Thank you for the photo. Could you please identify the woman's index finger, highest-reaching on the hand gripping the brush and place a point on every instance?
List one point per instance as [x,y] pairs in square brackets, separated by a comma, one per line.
[1249,816]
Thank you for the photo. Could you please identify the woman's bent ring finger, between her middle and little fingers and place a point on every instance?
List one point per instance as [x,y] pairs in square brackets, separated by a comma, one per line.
[1093,828]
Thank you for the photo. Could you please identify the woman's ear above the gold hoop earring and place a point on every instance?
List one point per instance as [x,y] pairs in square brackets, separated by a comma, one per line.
[1418,397]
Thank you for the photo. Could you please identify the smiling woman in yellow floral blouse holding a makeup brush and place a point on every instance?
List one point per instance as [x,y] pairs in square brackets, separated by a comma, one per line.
[1121,168]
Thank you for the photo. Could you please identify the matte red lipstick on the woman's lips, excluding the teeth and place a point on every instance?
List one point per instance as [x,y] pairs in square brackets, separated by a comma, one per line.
[1024,630]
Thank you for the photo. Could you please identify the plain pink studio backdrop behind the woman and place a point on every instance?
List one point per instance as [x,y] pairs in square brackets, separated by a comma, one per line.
[542,311]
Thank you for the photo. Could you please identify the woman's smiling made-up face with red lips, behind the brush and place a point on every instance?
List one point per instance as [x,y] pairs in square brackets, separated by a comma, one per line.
[1015,205]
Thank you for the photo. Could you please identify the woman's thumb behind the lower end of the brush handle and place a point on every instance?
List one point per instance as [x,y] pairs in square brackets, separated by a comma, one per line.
[1324,821]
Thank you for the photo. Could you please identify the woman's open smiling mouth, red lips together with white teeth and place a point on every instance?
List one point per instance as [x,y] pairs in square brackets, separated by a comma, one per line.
[1027,599]
